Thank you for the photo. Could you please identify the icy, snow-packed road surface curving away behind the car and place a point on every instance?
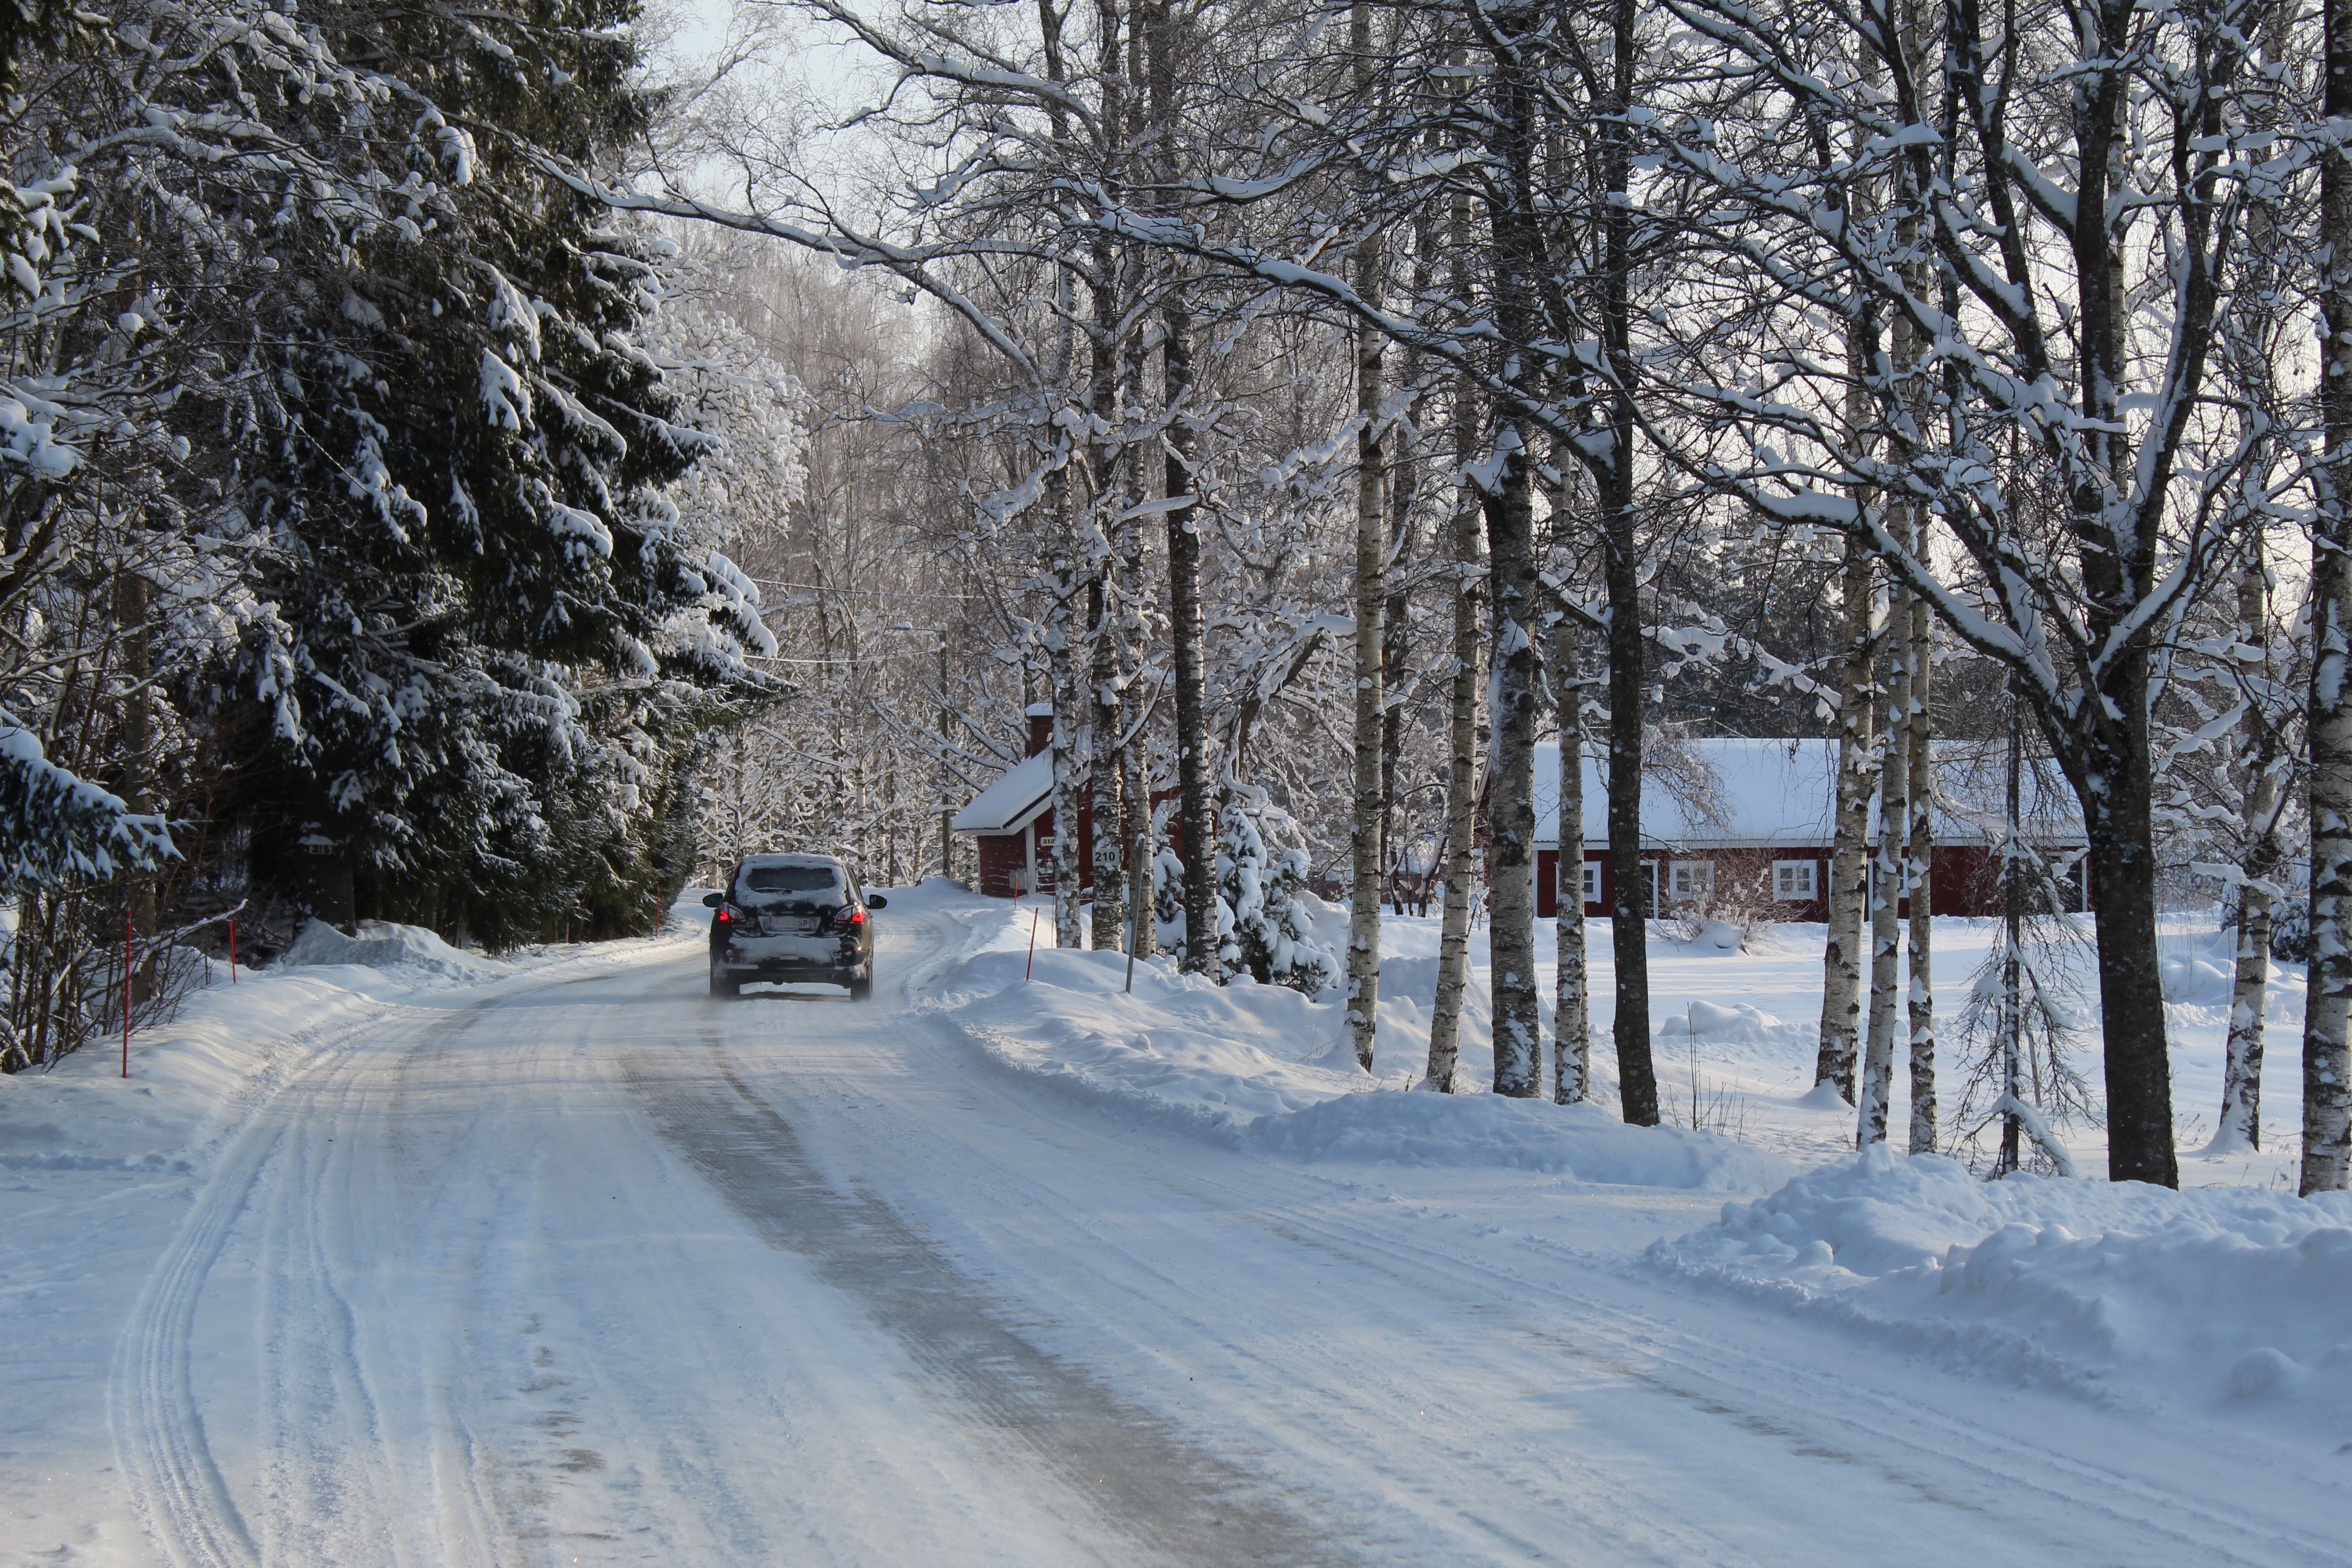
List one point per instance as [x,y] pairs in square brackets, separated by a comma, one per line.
[599,1271]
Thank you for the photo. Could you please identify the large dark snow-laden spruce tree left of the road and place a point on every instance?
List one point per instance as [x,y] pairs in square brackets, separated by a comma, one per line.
[450,495]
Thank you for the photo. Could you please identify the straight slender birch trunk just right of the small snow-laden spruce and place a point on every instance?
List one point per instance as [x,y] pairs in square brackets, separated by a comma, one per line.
[1370,540]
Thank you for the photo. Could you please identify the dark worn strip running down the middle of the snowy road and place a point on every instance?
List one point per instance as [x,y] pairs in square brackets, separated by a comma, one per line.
[1132,1466]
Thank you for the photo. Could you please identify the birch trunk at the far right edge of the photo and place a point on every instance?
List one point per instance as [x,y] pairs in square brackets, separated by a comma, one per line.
[2327,1057]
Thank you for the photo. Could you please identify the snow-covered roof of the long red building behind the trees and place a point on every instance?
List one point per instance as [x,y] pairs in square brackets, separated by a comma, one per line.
[1784,793]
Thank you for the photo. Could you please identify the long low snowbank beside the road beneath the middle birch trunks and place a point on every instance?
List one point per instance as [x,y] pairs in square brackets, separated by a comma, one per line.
[1271,1071]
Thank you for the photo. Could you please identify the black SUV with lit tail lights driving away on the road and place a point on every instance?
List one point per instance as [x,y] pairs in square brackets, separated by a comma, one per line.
[791,918]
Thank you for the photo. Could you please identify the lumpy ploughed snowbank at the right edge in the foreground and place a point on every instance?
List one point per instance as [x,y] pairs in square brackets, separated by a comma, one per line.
[2221,1296]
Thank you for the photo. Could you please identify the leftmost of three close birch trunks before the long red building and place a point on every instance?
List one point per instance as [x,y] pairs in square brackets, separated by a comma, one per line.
[1850,855]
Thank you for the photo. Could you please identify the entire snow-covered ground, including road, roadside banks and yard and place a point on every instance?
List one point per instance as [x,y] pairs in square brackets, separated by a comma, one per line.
[406,1257]
